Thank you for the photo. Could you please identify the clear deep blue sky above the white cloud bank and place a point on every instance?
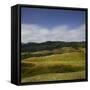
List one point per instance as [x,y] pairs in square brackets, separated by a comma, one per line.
[49,18]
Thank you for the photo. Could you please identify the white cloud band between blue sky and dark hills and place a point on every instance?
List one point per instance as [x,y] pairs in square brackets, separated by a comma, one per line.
[36,33]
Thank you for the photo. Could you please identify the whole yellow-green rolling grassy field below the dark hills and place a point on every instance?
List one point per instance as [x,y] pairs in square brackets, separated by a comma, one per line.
[53,65]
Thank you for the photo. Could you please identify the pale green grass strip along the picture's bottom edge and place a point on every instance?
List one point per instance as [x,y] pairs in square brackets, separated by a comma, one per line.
[55,76]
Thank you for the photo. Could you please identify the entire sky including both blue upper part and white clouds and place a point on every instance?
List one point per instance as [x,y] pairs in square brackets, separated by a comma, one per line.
[41,25]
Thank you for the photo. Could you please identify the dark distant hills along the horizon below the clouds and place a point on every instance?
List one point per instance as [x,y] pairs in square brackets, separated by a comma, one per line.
[49,45]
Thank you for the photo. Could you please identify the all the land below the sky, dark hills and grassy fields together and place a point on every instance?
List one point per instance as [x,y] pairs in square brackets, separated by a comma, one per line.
[49,61]
